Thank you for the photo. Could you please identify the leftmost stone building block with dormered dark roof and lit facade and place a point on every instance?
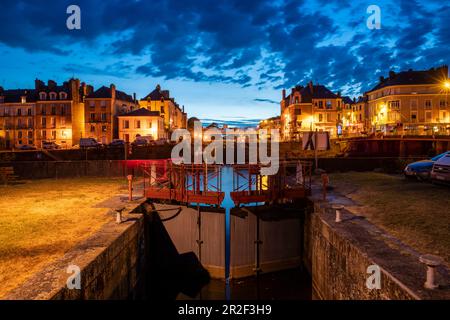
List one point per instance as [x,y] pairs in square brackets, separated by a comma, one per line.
[49,112]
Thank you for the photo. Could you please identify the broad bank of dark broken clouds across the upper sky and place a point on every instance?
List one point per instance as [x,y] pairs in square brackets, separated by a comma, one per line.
[262,43]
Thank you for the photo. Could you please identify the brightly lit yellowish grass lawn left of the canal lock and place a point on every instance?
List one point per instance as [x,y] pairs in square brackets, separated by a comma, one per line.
[41,220]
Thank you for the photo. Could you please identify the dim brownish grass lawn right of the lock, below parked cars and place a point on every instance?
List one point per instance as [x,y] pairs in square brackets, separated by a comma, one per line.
[414,212]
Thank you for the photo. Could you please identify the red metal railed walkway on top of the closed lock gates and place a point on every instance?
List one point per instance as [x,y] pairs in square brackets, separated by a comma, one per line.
[202,184]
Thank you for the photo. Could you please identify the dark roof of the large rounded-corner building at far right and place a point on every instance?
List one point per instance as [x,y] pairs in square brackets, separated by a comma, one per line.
[412,77]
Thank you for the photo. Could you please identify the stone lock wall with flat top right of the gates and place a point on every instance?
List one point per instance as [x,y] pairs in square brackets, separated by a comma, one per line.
[337,256]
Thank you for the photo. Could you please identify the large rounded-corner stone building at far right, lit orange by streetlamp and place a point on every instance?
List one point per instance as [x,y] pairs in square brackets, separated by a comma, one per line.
[411,103]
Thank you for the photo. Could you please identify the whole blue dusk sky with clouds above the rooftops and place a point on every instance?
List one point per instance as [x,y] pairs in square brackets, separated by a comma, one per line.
[225,60]
